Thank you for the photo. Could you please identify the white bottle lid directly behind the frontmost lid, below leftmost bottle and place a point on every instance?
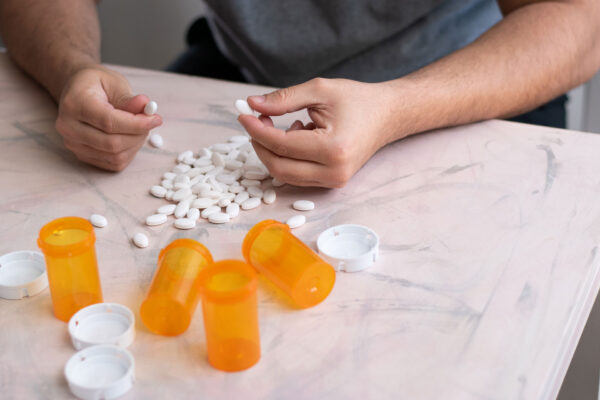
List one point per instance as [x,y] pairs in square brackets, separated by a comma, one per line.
[102,323]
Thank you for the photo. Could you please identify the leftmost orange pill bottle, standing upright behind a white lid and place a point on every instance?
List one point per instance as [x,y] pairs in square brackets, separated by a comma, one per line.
[68,247]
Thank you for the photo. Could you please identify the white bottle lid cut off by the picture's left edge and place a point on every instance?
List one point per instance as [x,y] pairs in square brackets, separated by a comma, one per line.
[22,273]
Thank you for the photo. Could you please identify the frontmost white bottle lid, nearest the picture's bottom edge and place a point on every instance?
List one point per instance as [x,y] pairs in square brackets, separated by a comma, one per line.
[100,372]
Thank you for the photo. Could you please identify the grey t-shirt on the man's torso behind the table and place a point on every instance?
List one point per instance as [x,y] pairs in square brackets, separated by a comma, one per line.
[285,42]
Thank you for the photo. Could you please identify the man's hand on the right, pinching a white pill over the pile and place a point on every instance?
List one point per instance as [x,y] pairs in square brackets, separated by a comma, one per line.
[350,122]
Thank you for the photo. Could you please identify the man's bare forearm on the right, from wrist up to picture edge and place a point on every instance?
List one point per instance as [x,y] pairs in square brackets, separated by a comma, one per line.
[534,54]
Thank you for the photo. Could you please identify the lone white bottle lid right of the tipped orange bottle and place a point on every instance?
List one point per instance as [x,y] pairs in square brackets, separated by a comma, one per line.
[349,247]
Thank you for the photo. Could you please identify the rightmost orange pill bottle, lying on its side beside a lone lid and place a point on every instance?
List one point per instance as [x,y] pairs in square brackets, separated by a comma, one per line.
[275,252]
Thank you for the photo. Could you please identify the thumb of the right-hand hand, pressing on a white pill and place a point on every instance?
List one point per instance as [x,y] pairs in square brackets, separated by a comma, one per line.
[288,99]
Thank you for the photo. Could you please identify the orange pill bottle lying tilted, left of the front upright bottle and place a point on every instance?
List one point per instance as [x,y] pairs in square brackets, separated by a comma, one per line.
[174,293]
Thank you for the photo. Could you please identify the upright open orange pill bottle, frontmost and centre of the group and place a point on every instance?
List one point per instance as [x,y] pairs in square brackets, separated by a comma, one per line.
[230,312]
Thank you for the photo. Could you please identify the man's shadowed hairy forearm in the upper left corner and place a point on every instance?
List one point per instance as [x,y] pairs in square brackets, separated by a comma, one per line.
[51,40]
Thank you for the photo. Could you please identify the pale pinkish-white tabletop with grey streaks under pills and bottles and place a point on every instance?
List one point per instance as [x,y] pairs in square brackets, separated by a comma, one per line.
[488,267]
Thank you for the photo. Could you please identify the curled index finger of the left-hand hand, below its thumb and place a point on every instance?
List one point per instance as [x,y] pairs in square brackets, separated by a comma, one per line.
[105,117]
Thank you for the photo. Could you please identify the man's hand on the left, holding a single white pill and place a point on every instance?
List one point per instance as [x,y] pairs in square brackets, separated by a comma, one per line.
[100,120]
